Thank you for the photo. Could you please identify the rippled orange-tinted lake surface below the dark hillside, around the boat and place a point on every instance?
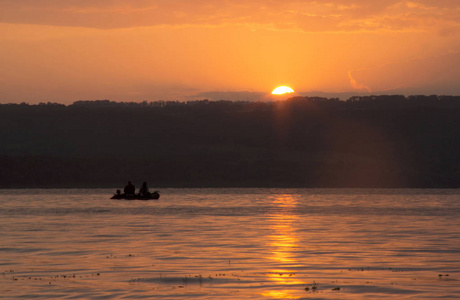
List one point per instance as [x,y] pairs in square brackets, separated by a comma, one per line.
[231,244]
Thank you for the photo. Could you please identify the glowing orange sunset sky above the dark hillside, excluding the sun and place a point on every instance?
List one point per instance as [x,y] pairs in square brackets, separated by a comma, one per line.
[149,50]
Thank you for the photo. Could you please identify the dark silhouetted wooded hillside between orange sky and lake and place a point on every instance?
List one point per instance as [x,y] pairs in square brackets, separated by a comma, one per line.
[376,141]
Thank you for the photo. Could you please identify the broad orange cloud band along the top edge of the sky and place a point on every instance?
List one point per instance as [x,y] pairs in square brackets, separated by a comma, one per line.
[310,16]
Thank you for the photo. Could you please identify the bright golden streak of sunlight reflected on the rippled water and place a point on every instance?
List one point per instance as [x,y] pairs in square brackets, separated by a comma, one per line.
[282,243]
